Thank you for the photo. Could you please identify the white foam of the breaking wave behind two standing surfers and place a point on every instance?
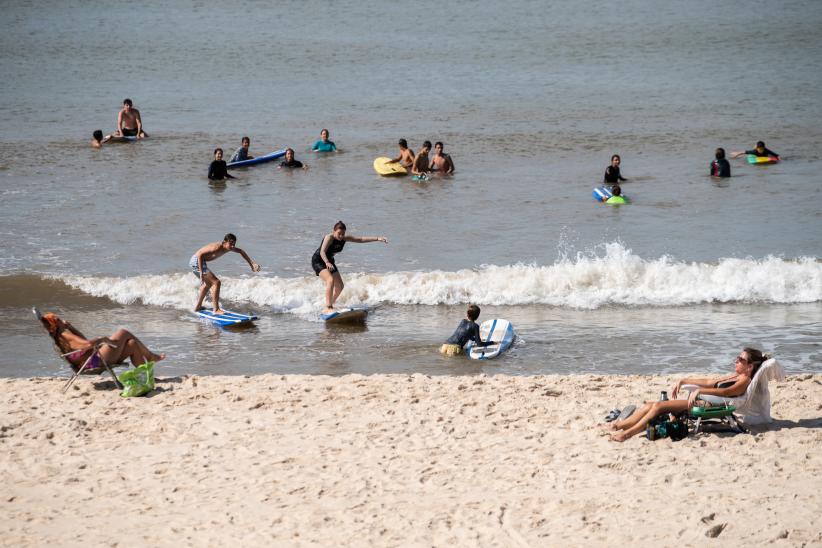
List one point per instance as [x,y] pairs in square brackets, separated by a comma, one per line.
[587,281]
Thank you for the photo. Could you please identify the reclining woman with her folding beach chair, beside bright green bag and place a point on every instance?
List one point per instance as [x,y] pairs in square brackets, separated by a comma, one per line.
[95,355]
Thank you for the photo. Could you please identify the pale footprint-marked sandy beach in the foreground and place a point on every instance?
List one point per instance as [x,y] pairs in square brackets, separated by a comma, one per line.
[394,460]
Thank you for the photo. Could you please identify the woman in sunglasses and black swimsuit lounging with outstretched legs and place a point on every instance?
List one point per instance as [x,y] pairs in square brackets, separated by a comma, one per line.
[730,386]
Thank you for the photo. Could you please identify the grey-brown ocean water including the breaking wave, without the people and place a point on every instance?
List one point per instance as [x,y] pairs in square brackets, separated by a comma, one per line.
[530,99]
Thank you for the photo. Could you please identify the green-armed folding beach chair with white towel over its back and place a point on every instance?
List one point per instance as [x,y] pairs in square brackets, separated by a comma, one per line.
[752,407]
